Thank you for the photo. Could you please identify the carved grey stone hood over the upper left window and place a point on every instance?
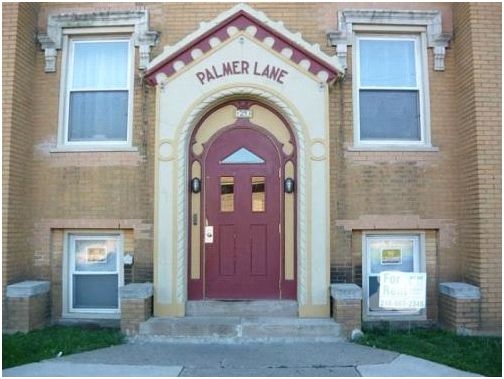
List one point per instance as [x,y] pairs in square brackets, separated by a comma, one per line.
[52,40]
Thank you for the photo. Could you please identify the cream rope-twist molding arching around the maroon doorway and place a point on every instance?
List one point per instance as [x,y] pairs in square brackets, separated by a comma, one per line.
[182,179]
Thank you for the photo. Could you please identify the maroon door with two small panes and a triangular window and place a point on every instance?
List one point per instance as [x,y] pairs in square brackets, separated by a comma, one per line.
[243,203]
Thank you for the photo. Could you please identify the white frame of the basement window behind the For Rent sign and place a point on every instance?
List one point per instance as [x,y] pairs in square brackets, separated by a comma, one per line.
[418,266]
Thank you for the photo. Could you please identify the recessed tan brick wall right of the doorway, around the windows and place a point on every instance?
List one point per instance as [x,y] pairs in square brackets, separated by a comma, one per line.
[374,189]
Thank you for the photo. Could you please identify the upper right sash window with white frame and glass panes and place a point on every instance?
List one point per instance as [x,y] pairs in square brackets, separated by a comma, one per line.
[390,91]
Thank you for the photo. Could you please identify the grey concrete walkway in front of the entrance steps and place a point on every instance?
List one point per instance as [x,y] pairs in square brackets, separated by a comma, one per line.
[147,359]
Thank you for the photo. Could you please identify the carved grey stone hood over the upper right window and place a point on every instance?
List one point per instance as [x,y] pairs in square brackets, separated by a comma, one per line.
[432,20]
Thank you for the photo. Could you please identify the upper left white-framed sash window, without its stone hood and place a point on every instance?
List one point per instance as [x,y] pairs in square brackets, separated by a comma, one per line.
[76,86]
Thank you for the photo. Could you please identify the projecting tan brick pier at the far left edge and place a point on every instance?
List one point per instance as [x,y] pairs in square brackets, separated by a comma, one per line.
[18,53]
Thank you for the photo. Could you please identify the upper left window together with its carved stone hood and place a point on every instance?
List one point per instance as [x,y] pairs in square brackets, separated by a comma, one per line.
[98,55]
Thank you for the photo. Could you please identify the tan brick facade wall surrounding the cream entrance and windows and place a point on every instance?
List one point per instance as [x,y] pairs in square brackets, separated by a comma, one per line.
[58,191]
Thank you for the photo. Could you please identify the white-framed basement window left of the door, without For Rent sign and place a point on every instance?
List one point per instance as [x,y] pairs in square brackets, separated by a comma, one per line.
[89,256]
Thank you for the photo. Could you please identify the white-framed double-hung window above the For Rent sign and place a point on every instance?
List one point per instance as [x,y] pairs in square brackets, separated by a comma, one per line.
[391,88]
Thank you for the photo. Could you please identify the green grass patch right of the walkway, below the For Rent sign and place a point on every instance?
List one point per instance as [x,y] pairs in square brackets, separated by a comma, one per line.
[481,355]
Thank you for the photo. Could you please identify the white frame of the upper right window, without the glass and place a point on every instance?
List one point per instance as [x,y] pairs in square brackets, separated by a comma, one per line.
[421,65]
